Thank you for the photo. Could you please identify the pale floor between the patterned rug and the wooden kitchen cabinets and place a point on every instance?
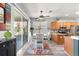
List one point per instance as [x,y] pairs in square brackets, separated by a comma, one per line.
[57,50]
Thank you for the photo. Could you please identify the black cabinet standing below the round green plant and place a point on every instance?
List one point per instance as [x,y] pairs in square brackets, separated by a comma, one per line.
[8,48]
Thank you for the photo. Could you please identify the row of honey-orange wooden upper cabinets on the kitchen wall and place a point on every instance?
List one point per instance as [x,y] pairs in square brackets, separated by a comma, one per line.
[57,25]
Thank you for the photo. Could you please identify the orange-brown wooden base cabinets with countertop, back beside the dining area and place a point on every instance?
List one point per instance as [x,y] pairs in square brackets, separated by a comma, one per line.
[58,38]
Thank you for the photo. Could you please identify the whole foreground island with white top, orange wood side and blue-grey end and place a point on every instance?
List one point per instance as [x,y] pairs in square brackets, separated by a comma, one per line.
[71,45]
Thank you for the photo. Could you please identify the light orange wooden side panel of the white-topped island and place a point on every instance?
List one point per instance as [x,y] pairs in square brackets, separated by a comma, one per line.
[68,45]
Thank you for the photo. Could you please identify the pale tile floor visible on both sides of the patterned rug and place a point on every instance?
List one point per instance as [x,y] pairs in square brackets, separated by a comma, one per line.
[57,50]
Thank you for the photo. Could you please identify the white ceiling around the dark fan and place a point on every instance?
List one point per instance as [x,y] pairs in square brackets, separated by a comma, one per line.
[58,9]
